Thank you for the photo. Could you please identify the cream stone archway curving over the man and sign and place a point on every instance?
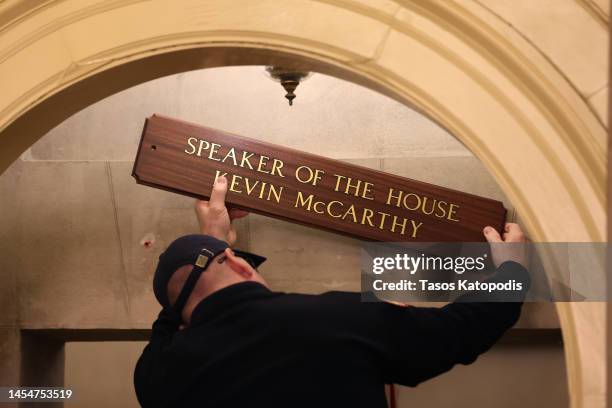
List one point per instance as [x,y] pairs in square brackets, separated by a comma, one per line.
[457,63]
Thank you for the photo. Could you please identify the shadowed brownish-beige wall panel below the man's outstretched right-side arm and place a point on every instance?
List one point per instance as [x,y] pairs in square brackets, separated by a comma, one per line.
[508,376]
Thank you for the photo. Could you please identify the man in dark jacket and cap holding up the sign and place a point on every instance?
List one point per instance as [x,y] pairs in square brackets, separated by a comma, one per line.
[224,339]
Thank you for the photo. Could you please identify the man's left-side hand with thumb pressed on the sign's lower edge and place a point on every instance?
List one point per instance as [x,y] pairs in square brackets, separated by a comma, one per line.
[213,216]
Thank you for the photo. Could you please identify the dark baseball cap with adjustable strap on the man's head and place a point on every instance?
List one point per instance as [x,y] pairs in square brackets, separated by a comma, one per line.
[197,250]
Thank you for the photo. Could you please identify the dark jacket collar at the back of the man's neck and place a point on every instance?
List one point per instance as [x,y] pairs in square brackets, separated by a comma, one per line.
[225,298]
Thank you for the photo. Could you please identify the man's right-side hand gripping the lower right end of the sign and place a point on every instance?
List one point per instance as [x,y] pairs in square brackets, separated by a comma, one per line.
[511,248]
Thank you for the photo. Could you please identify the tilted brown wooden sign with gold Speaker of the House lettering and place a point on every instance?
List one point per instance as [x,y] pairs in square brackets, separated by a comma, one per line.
[308,189]
